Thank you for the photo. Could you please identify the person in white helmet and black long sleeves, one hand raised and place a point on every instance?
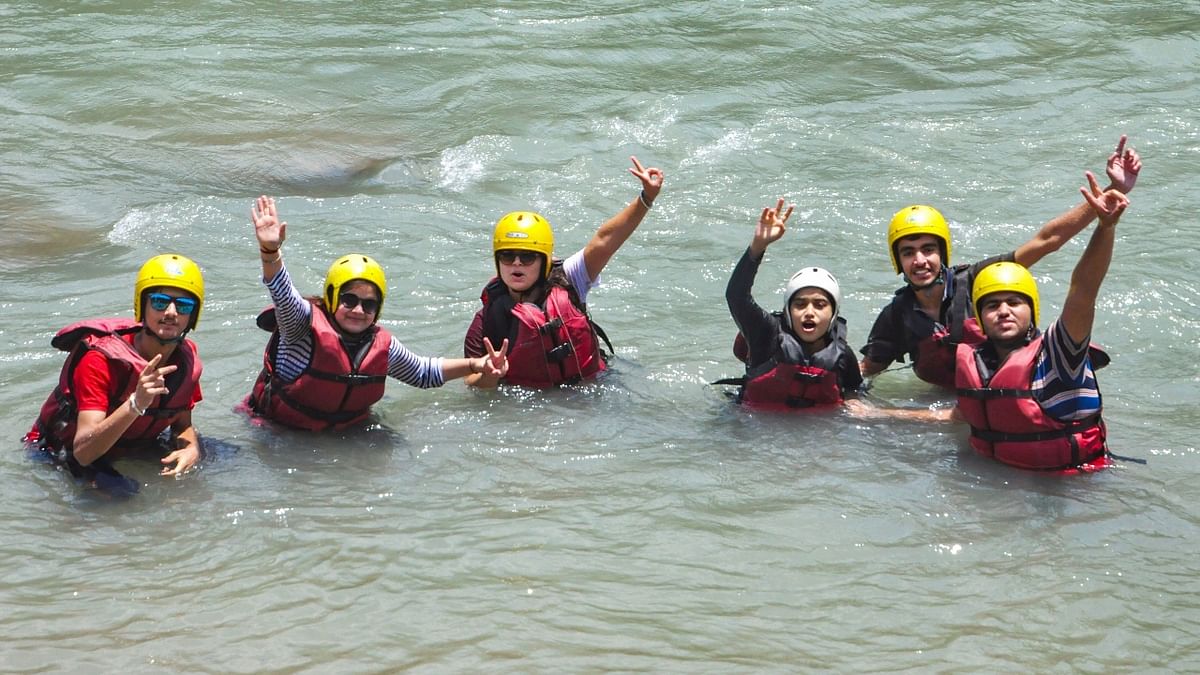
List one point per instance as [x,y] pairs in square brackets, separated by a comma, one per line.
[797,357]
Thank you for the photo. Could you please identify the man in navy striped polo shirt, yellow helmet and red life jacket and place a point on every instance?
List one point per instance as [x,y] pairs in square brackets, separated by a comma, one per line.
[1031,398]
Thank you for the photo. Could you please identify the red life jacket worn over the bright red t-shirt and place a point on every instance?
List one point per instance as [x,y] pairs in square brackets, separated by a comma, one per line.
[57,423]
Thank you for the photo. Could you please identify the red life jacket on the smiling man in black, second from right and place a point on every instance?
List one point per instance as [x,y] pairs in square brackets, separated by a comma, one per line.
[934,357]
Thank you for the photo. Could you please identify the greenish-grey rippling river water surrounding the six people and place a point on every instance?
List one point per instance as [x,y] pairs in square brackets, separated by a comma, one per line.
[641,523]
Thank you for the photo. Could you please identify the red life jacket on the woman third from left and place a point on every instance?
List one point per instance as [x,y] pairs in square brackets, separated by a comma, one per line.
[553,344]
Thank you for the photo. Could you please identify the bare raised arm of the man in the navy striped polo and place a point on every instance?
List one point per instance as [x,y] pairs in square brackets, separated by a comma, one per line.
[1079,308]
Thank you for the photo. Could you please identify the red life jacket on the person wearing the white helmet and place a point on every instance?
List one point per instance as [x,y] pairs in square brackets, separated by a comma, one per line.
[790,379]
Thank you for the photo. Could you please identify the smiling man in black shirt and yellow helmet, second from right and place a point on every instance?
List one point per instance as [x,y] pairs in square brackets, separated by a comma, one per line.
[926,319]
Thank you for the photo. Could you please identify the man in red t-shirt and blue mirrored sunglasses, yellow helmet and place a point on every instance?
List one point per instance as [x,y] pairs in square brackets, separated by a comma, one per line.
[129,383]
